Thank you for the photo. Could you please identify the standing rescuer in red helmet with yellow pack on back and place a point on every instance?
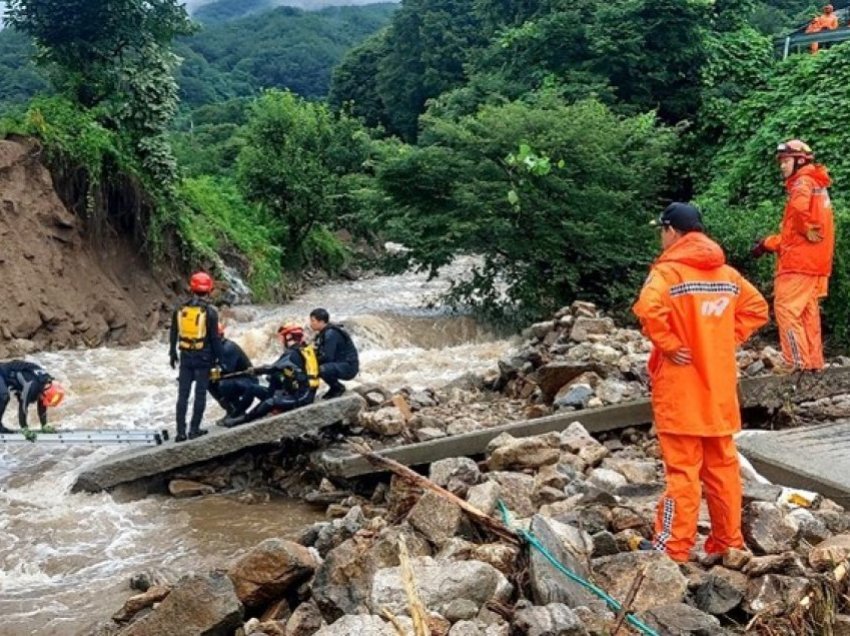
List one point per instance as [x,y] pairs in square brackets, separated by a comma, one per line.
[195,335]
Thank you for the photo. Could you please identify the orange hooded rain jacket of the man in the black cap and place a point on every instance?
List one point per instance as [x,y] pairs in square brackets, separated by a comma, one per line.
[693,299]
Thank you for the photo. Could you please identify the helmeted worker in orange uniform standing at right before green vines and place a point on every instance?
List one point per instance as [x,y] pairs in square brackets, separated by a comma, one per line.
[804,247]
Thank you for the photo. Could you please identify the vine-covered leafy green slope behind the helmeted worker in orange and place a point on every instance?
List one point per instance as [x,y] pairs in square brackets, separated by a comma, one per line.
[742,192]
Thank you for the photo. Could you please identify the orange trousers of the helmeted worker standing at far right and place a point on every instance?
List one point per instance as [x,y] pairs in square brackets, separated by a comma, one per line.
[797,309]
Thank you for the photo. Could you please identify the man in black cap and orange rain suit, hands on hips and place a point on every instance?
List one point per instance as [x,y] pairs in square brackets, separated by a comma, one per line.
[696,310]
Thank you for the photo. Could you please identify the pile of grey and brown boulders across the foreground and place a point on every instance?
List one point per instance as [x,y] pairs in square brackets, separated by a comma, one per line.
[585,499]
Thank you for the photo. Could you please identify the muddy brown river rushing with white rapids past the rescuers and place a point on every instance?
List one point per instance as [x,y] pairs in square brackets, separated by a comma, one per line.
[66,559]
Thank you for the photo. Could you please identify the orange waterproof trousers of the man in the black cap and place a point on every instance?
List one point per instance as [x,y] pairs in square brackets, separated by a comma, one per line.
[693,463]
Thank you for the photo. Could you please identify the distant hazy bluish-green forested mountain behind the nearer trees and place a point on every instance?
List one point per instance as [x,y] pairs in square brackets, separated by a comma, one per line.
[238,49]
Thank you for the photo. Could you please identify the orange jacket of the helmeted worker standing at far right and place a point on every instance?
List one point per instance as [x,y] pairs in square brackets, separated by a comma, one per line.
[808,214]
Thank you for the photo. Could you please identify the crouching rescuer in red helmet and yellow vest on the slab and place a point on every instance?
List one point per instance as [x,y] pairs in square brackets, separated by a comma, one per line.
[293,378]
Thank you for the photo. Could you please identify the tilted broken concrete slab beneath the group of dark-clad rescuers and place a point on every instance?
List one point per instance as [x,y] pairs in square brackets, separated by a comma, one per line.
[149,462]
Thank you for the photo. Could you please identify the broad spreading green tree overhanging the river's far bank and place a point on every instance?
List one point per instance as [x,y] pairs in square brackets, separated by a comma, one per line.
[541,193]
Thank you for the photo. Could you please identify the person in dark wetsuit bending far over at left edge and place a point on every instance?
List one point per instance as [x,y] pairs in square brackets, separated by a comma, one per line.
[30,383]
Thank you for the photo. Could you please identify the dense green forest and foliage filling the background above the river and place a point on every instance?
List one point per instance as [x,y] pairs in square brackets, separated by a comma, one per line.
[542,136]
